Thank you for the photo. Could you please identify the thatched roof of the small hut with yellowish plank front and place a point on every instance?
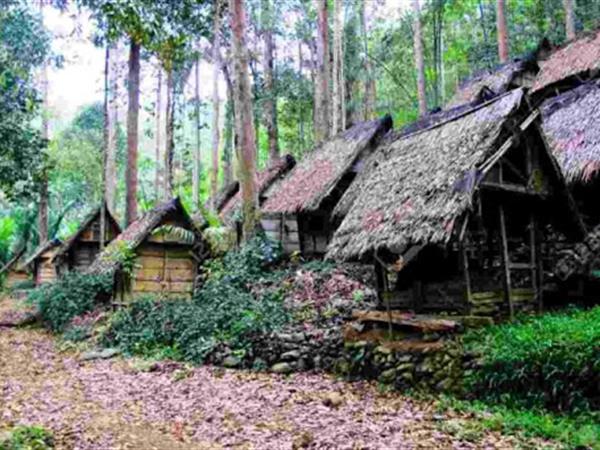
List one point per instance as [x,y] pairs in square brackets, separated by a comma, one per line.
[139,230]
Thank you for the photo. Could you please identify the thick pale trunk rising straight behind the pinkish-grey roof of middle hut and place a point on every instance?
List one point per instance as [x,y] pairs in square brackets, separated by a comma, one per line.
[321,106]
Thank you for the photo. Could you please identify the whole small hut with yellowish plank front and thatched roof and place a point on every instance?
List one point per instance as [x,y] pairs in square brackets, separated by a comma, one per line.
[160,254]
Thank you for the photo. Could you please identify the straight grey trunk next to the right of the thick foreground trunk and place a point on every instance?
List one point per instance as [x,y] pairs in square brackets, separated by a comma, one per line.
[270,103]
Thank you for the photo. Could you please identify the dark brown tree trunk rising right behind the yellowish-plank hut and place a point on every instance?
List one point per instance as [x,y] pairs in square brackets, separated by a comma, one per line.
[133,106]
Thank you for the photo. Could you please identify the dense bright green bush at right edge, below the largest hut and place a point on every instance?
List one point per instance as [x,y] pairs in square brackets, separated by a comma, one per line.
[551,361]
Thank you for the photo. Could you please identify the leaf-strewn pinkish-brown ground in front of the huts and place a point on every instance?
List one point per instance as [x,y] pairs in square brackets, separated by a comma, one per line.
[137,404]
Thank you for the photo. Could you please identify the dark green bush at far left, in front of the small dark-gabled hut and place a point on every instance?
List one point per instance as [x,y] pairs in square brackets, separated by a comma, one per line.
[72,295]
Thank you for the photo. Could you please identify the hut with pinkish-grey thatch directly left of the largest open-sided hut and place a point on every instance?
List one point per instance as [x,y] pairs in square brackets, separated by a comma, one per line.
[298,210]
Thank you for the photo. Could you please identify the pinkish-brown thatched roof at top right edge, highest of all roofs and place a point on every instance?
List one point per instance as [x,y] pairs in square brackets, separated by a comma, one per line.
[575,59]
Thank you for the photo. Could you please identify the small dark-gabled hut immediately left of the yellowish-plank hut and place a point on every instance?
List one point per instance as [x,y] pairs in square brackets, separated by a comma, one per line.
[80,250]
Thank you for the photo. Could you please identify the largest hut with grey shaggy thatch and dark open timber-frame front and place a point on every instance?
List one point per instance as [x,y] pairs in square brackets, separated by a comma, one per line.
[453,215]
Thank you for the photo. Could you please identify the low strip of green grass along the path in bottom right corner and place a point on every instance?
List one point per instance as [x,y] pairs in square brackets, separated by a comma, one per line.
[570,430]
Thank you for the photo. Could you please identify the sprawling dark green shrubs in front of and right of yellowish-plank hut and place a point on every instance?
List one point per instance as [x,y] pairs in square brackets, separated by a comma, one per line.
[224,311]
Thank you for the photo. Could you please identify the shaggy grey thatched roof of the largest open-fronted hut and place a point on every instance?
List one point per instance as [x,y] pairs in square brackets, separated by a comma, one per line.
[423,183]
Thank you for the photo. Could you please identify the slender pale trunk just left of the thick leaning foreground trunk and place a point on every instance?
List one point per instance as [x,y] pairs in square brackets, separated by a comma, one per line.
[216,137]
